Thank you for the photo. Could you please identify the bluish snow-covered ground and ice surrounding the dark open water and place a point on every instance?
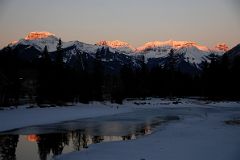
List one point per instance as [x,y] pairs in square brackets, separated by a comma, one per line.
[201,134]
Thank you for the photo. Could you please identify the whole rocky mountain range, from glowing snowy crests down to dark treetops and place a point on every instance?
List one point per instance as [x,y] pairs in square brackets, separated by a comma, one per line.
[188,55]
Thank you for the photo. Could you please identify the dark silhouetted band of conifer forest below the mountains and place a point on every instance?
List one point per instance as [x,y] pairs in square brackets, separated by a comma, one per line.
[48,81]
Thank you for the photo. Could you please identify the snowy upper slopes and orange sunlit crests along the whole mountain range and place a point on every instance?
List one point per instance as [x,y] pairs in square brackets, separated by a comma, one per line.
[193,52]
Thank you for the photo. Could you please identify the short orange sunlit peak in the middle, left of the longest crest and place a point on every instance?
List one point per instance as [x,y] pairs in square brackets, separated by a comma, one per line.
[123,46]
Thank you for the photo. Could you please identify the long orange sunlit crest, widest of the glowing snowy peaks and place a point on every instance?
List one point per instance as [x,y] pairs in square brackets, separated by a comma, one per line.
[172,44]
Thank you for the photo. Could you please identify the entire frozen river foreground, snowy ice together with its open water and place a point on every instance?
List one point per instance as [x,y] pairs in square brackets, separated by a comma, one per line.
[151,130]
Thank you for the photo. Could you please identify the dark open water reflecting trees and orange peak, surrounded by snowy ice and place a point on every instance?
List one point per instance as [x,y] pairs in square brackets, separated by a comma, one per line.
[50,144]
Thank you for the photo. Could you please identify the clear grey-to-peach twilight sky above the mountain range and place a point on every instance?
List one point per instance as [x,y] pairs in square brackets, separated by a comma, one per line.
[206,22]
